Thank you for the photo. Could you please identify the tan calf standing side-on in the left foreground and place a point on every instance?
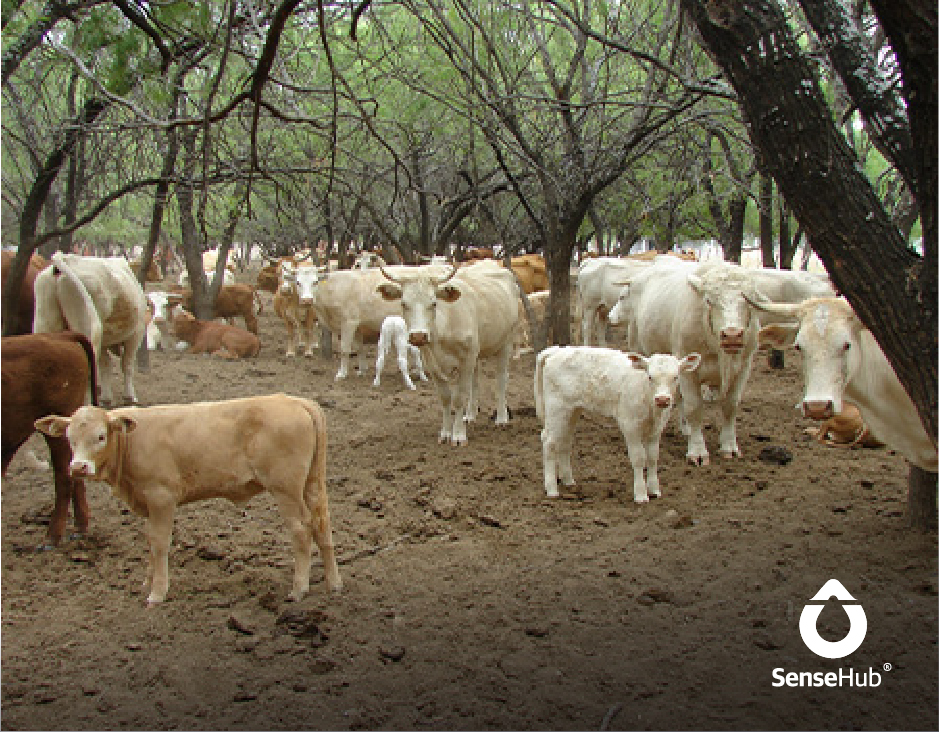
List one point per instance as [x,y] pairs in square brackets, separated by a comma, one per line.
[155,459]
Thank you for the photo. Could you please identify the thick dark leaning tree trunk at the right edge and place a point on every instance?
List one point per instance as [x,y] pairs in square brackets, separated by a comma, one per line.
[892,288]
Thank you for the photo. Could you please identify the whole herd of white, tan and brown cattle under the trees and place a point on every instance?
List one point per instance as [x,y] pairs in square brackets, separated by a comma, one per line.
[693,330]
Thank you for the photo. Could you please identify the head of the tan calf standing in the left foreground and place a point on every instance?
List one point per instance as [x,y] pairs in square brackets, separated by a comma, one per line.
[93,435]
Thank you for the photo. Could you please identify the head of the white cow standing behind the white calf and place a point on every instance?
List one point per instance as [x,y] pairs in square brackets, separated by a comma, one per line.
[727,314]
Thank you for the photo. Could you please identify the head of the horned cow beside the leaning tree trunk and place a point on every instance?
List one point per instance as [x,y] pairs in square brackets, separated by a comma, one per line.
[827,333]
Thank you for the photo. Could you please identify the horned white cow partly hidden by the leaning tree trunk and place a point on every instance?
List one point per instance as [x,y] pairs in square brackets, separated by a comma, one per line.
[841,361]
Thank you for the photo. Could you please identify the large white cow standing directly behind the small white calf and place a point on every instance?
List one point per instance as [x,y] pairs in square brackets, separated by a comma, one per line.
[687,308]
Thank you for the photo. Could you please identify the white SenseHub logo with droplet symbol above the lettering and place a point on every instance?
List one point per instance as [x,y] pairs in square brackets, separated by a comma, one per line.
[808,628]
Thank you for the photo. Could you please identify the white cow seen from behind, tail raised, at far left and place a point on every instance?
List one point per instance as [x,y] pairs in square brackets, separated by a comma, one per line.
[101,298]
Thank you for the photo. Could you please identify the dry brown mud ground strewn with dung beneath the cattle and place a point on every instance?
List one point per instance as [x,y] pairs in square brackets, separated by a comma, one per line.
[471,601]
